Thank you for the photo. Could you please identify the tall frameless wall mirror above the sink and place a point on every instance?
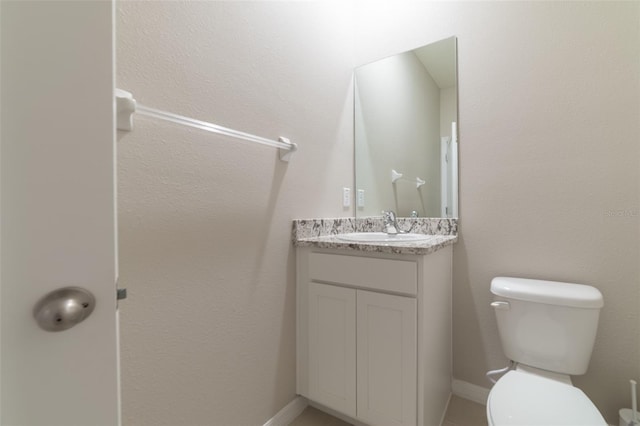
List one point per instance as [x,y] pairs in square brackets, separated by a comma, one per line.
[406,144]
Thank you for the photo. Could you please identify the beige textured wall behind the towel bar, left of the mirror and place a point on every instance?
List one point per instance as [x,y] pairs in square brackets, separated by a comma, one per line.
[208,330]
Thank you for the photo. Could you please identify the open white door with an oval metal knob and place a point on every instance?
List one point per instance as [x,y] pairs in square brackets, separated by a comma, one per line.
[57,193]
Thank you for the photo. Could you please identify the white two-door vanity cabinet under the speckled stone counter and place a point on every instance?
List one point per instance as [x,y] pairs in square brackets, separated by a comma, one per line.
[374,334]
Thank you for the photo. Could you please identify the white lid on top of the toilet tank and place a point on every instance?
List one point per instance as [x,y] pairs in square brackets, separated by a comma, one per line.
[548,292]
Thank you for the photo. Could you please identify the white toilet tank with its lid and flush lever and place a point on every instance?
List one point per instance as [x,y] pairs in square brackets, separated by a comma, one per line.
[547,324]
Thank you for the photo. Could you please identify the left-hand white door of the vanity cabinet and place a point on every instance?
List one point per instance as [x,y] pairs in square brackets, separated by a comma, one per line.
[332,347]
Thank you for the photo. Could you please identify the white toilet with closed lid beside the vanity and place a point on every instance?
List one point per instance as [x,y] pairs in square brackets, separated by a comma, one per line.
[547,329]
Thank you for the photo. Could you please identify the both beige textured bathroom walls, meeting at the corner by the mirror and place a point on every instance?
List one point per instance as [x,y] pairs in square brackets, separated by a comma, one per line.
[548,137]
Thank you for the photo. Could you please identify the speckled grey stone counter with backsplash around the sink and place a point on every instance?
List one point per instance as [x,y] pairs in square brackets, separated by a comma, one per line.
[322,233]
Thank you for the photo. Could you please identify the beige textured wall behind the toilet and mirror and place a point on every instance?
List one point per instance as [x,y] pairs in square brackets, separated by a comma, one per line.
[549,155]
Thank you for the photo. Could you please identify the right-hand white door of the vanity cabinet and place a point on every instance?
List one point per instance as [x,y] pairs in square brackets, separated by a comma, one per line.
[387,351]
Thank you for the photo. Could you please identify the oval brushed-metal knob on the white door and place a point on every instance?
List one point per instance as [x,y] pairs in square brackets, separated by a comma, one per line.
[63,308]
